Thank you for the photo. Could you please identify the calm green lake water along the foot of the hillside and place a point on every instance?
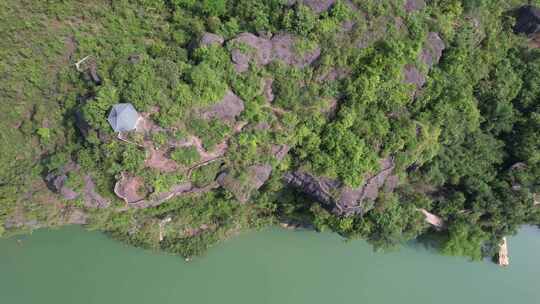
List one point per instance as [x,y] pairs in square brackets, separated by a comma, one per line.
[273,266]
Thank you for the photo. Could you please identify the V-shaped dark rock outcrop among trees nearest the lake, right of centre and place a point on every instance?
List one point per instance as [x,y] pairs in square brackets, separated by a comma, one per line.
[341,199]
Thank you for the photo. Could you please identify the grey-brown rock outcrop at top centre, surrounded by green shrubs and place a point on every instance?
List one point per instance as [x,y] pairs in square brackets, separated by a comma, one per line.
[262,51]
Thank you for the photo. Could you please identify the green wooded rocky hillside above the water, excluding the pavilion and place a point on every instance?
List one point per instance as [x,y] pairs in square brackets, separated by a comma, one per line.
[347,116]
